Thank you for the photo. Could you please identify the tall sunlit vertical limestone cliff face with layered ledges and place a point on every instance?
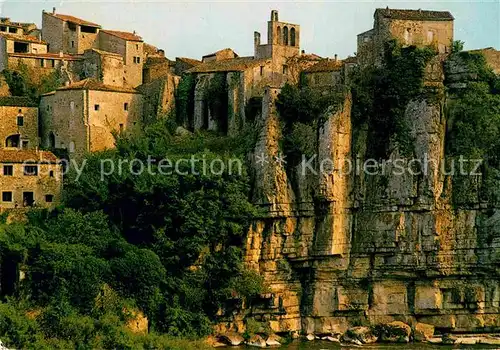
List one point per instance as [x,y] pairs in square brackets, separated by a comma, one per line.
[340,246]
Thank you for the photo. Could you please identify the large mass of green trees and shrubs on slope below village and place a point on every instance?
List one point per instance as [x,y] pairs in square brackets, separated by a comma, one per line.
[169,246]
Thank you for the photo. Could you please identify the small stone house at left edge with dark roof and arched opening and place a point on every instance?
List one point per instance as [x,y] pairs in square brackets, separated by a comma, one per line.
[18,123]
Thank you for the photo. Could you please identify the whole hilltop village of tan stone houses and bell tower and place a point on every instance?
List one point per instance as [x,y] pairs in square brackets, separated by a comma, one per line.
[112,81]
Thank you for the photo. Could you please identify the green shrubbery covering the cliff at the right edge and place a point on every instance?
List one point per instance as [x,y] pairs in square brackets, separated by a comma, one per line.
[474,129]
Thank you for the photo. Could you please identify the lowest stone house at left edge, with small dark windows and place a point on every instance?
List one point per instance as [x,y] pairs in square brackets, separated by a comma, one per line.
[29,178]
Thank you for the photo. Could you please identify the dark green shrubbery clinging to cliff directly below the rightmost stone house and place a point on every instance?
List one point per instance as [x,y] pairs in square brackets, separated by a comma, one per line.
[381,94]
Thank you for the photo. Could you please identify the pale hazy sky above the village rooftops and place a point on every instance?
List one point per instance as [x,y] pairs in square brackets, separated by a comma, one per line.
[195,28]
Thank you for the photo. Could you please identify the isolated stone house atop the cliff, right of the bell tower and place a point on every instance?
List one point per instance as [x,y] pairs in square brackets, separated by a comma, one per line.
[421,28]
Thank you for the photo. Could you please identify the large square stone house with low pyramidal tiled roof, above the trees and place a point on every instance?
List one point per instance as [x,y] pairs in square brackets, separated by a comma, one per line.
[82,117]
